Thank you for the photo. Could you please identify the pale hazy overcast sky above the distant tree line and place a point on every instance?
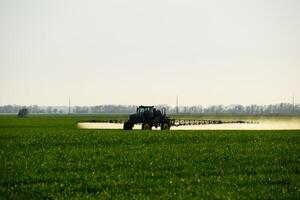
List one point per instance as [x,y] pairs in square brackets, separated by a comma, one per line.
[147,52]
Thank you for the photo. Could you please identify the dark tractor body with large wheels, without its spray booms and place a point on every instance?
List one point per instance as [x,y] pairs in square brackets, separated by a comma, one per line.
[149,117]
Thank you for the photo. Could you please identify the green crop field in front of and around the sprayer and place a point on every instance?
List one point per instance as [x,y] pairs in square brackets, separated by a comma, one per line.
[49,157]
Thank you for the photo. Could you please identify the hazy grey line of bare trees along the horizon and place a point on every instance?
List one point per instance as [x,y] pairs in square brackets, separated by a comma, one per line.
[281,108]
